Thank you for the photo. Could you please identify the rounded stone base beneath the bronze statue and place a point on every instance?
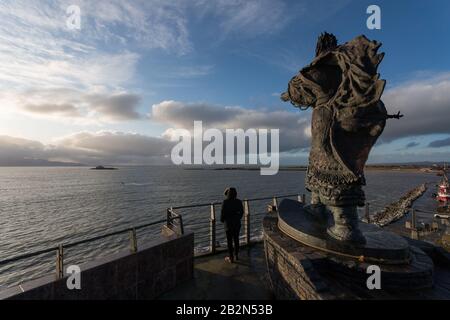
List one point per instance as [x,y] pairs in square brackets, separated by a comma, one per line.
[300,271]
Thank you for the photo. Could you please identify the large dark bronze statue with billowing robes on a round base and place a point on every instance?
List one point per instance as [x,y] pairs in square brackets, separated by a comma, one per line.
[343,87]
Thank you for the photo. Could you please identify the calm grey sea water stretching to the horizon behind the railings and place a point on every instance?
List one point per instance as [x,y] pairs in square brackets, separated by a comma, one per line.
[42,207]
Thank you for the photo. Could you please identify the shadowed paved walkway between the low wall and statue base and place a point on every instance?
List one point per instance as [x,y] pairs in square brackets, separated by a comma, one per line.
[215,279]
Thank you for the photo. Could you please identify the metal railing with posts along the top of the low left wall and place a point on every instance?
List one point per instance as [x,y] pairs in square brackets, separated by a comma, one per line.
[170,222]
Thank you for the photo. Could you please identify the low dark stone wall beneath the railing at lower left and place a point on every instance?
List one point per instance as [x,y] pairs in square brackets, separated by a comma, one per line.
[157,267]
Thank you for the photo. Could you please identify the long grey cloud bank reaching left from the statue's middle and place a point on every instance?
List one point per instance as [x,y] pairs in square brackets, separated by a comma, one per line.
[294,127]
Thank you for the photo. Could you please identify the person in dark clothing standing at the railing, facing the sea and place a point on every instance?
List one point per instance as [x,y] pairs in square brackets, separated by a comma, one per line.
[231,215]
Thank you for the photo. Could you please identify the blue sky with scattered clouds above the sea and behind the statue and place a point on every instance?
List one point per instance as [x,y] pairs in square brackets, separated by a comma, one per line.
[114,90]
